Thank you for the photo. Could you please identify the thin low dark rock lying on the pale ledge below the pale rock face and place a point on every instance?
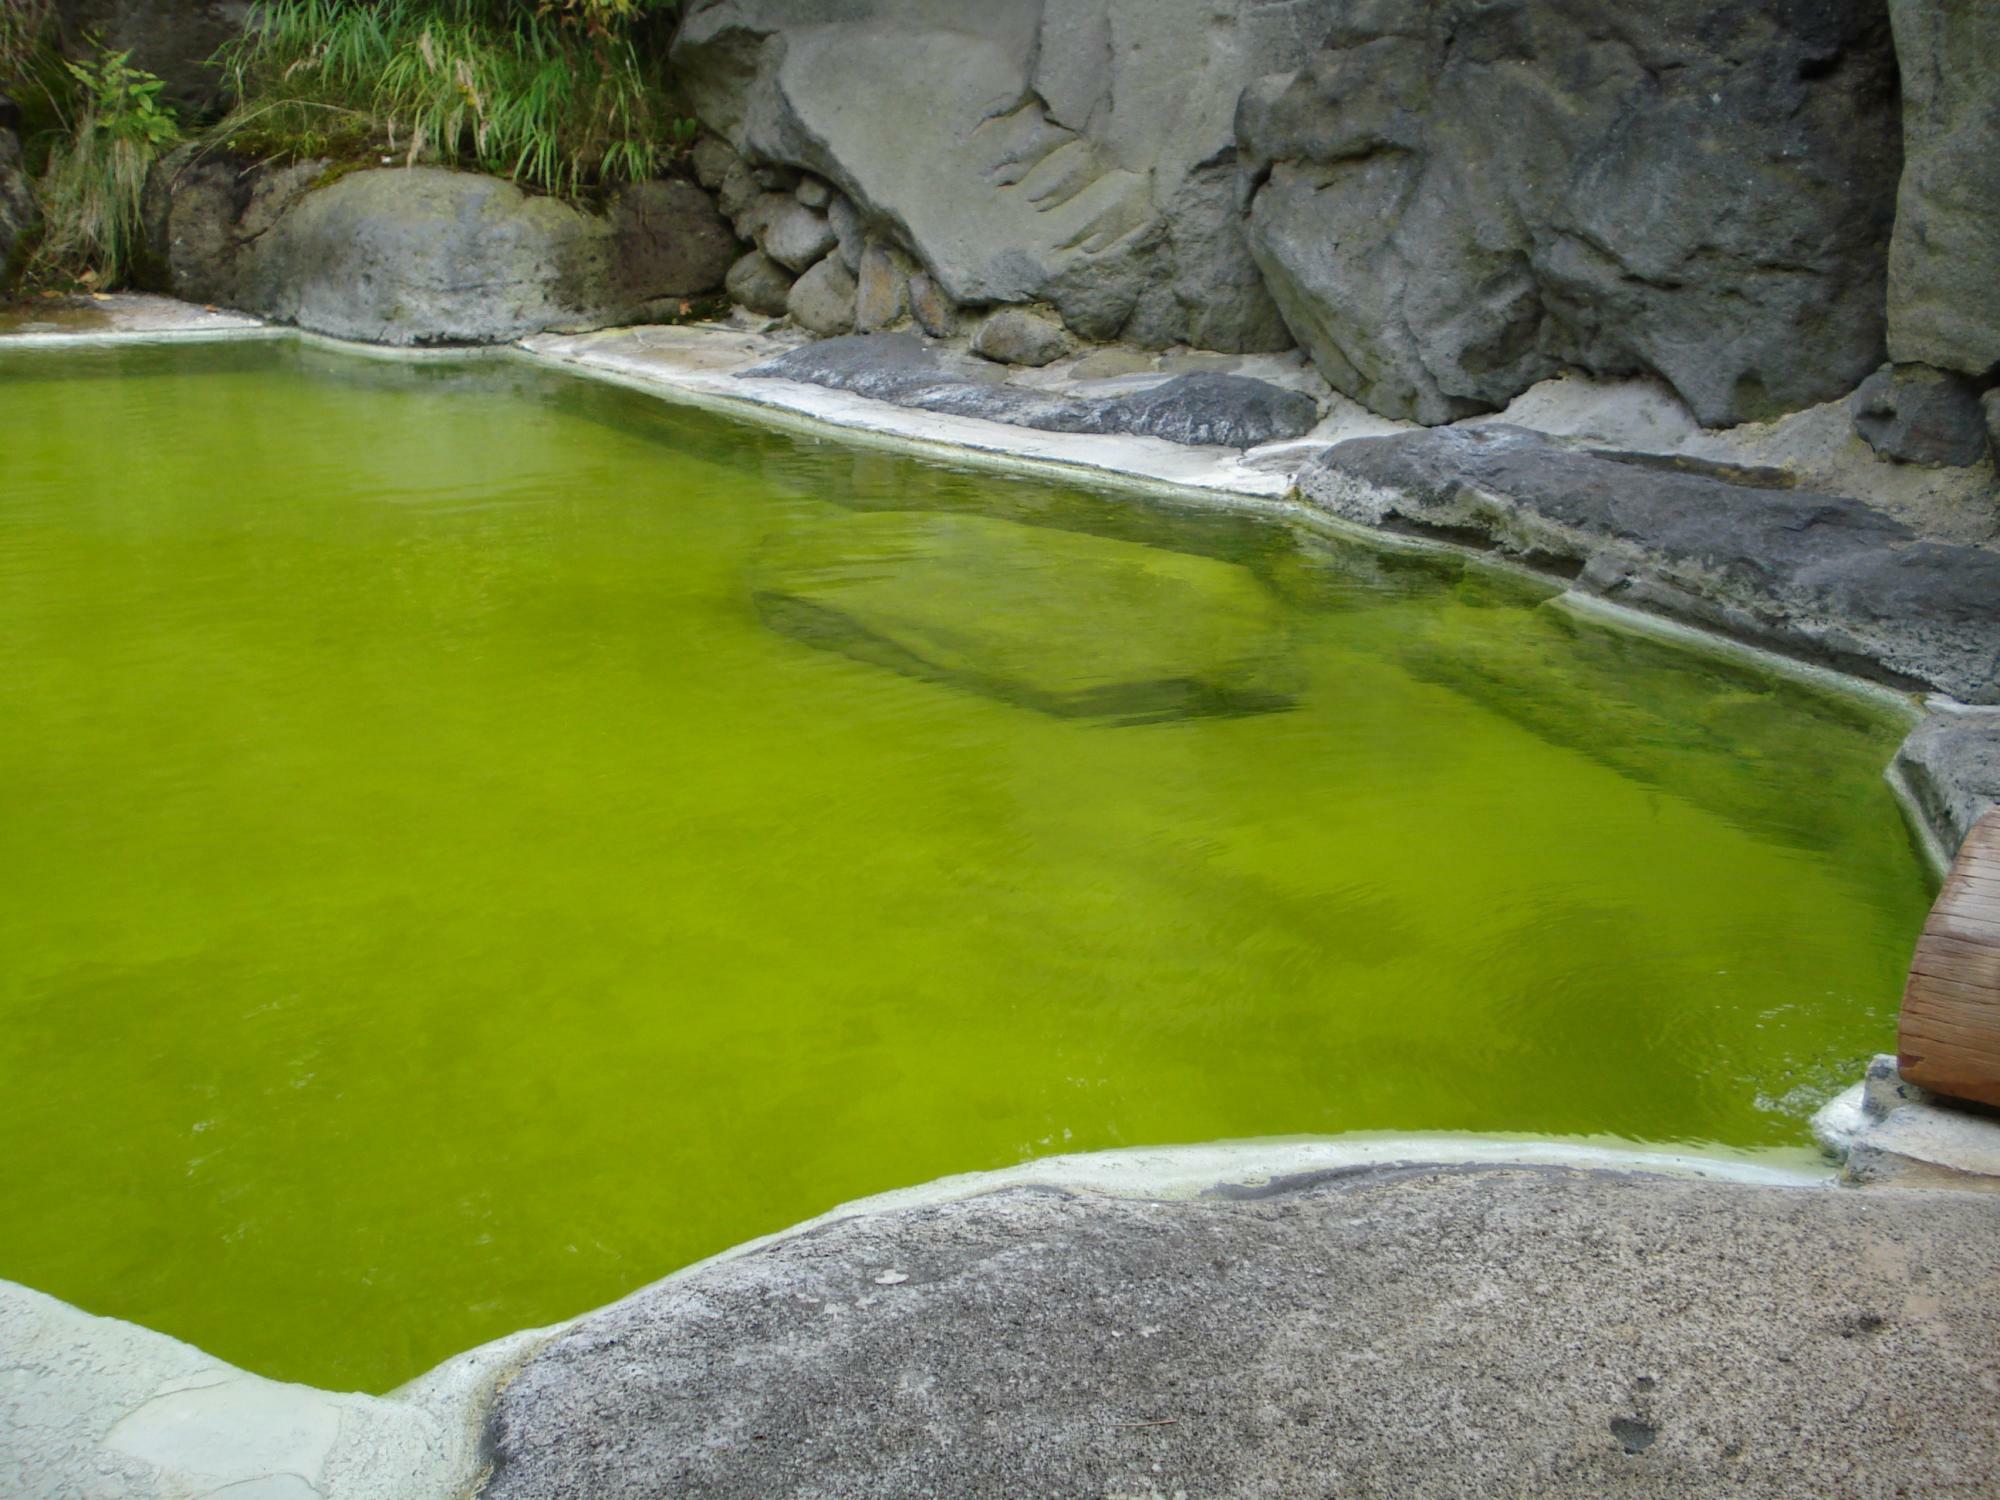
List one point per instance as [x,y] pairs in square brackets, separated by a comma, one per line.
[1197,409]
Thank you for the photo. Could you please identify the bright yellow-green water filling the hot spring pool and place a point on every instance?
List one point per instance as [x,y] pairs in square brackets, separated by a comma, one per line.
[477,841]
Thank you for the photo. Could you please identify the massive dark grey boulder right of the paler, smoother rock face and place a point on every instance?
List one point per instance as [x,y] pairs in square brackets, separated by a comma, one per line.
[1455,201]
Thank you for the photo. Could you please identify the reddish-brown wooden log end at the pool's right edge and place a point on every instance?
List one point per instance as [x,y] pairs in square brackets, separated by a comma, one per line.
[1949,1037]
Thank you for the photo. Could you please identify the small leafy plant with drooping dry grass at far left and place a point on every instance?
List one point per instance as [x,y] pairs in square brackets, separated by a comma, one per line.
[97,177]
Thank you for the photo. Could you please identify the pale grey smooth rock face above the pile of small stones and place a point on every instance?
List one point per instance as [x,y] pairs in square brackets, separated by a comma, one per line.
[1027,151]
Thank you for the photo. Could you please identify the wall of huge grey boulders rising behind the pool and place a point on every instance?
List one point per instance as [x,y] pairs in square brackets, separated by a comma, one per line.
[1443,201]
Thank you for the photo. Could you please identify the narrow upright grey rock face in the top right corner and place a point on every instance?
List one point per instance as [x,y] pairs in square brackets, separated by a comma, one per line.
[1945,259]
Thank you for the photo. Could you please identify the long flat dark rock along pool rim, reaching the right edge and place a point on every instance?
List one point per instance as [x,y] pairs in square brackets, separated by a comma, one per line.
[1811,575]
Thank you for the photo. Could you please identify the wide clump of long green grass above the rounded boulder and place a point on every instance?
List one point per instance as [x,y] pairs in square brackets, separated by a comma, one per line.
[551,95]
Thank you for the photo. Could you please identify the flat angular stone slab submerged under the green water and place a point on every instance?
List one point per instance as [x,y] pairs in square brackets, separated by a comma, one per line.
[1055,621]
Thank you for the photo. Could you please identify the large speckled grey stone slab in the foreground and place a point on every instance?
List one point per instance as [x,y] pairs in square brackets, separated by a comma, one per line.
[1407,1331]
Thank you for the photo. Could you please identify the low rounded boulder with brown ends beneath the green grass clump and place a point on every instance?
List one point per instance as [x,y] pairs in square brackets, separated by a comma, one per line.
[423,255]
